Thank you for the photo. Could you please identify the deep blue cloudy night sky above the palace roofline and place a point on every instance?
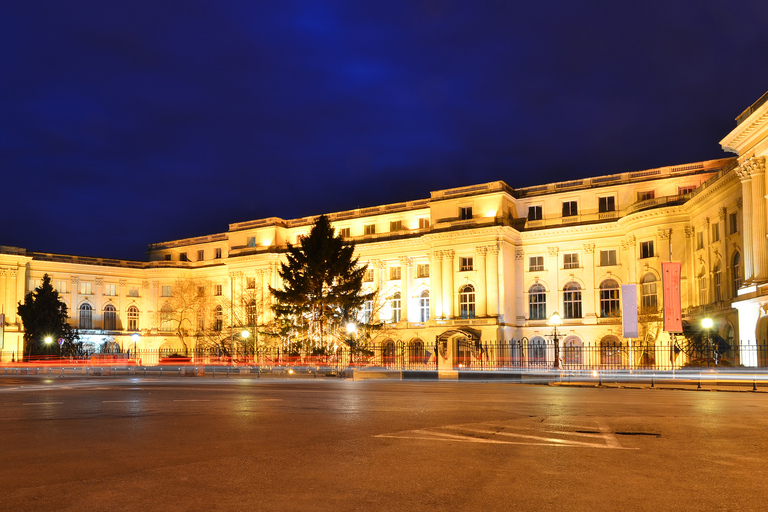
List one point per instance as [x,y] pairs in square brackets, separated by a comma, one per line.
[129,123]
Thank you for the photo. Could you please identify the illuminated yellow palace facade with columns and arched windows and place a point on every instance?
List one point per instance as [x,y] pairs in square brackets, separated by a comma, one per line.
[487,259]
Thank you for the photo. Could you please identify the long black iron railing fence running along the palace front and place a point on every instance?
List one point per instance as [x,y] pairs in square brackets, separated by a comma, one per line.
[460,354]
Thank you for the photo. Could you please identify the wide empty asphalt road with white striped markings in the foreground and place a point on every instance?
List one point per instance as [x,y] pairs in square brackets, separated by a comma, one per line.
[326,444]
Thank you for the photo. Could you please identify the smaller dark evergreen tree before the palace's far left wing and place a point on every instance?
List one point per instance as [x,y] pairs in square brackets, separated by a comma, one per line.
[45,315]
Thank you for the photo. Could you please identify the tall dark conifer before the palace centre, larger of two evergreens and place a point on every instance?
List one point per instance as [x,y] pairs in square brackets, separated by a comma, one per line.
[322,288]
